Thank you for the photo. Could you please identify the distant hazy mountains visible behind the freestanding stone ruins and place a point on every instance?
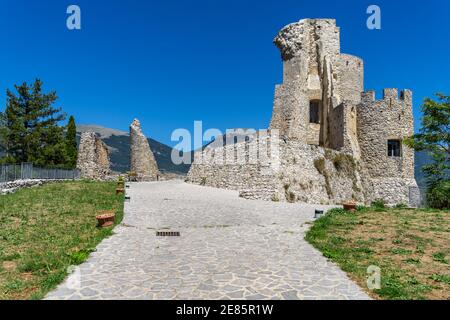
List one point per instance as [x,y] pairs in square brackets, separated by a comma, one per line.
[118,143]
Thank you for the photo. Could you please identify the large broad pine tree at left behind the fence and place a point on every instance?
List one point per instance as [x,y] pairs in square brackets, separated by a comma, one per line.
[33,134]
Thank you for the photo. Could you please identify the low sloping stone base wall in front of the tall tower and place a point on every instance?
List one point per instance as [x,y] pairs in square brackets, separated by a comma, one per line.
[297,172]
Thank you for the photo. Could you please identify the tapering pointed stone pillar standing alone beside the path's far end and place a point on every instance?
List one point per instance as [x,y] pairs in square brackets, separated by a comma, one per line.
[142,160]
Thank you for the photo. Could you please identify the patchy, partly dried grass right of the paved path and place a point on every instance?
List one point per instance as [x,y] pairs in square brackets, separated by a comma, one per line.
[411,247]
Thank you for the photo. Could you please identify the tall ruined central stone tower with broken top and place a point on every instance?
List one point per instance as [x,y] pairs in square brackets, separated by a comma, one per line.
[321,87]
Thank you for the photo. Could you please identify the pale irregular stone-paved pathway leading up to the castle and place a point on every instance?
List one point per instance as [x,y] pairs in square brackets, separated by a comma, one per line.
[229,248]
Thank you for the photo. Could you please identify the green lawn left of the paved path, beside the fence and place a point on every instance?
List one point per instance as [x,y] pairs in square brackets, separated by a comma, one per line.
[45,230]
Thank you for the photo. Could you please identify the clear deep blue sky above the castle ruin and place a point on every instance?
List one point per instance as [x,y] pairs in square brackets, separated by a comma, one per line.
[169,63]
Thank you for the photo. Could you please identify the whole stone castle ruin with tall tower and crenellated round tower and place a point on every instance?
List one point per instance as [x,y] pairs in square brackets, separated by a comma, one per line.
[335,141]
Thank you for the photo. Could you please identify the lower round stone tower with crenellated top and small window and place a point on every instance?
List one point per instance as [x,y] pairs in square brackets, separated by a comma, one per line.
[379,121]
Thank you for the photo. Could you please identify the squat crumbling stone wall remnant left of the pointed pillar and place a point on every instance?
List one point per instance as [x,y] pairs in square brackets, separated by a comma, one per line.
[93,157]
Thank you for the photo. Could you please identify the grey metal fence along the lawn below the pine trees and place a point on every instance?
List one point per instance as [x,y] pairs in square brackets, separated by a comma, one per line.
[24,171]
